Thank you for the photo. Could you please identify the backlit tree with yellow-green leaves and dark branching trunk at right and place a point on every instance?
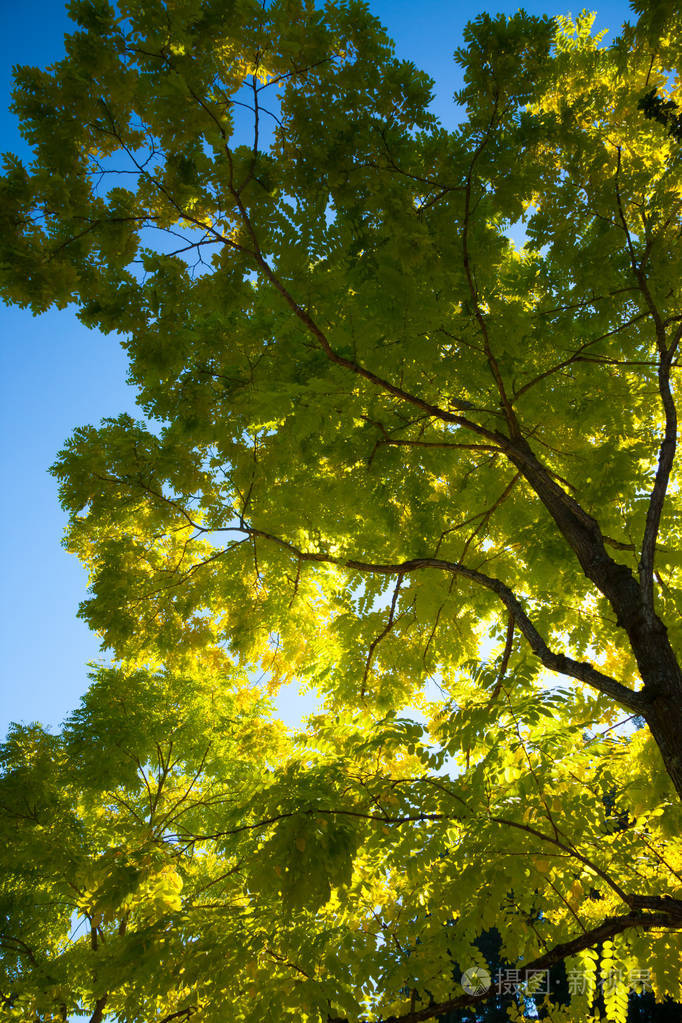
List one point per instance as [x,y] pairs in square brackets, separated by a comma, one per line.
[390,454]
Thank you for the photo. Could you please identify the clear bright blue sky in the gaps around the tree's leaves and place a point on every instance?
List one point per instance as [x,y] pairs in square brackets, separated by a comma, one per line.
[57,376]
